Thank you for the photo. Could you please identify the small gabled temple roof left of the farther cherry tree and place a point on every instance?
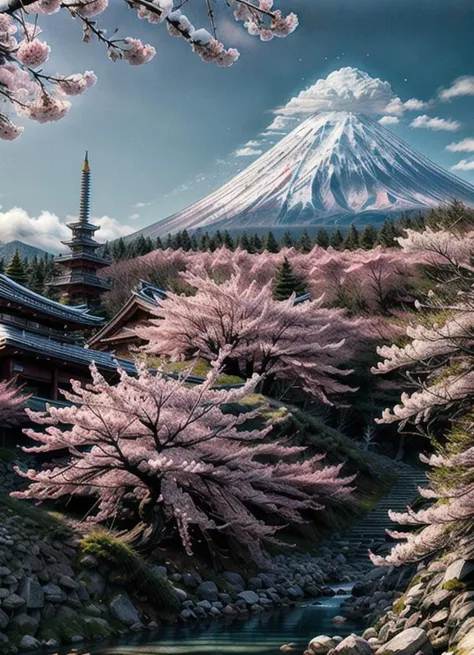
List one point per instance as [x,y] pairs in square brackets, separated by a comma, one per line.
[145,296]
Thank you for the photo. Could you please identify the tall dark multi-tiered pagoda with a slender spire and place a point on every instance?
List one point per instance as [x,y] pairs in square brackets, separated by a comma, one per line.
[78,281]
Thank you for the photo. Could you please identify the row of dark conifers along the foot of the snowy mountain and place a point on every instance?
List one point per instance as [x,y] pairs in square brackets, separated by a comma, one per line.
[368,238]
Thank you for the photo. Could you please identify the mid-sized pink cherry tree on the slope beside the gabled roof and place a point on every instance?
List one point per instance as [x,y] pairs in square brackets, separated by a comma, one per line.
[306,343]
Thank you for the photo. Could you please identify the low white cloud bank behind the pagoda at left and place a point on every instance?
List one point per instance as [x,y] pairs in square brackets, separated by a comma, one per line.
[46,231]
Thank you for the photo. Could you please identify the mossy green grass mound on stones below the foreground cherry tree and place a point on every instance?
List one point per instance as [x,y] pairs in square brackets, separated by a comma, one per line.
[138,576]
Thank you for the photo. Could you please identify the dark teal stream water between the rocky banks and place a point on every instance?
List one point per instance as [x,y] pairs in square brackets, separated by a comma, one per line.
[261,634]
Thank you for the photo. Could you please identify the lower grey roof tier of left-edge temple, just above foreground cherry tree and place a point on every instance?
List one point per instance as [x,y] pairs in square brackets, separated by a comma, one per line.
[21,340]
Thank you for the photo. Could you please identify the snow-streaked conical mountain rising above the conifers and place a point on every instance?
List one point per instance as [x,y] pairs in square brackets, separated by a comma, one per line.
[333,167]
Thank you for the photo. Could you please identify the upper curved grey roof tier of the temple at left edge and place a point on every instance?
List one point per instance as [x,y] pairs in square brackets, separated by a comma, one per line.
[15,293]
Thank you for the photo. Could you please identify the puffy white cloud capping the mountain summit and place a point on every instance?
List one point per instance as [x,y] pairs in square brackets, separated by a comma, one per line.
[349,89]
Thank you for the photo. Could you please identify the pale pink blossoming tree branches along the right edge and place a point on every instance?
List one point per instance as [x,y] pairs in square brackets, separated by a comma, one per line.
[439,362]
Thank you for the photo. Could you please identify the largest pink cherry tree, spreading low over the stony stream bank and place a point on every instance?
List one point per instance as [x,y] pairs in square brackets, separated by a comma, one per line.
[163,451]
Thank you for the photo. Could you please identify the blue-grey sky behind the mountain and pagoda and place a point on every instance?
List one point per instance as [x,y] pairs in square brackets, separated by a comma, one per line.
[165,134]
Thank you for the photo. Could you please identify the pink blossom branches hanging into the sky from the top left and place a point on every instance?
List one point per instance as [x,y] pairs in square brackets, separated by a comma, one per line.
[42,97]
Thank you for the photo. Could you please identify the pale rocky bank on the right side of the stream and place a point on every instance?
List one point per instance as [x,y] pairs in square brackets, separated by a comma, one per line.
[425,611]
